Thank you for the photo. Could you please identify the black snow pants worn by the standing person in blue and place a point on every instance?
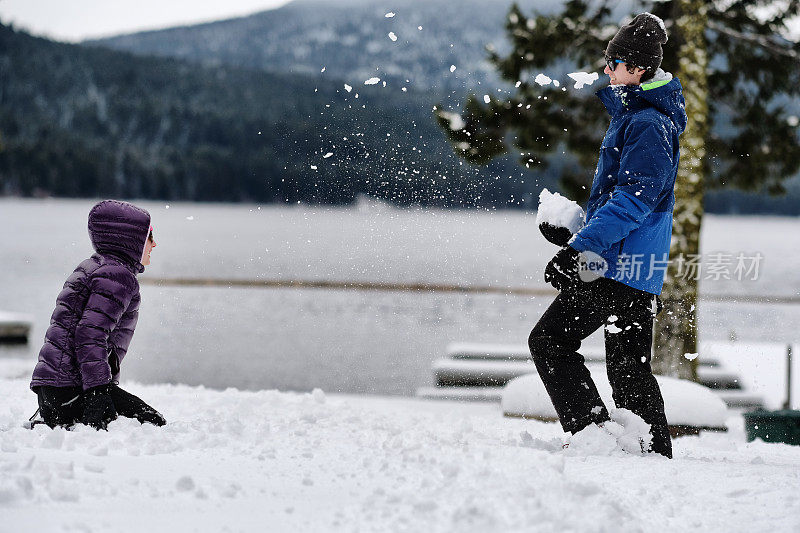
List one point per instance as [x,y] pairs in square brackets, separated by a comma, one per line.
[628,314]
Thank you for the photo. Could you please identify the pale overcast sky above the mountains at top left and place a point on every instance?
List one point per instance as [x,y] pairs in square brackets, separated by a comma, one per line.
[75,20]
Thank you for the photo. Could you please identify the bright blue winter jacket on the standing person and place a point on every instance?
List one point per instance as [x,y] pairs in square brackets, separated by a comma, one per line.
[629,213]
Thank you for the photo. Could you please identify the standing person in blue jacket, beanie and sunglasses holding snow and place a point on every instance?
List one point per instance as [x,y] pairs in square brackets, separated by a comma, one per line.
[626,240]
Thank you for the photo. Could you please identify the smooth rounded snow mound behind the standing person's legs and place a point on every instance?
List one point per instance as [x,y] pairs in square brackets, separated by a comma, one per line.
[685,402]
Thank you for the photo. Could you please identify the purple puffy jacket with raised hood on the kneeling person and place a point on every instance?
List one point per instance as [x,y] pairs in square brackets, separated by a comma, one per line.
[97,310]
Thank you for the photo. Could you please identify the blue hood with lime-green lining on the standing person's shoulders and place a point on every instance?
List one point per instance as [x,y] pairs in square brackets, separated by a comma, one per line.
[664,93]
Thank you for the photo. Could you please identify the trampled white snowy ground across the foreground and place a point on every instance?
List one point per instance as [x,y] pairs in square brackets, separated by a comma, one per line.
[272,461]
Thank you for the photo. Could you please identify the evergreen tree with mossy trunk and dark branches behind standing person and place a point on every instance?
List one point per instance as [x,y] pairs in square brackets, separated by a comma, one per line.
[739,71]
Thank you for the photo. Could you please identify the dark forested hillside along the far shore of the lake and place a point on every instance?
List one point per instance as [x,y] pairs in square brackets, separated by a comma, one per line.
[84,121]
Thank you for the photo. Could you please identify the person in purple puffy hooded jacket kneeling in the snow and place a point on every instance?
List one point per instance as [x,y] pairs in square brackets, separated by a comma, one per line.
[77,376]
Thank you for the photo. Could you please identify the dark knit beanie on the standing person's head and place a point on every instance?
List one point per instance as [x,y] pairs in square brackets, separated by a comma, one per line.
[639,42]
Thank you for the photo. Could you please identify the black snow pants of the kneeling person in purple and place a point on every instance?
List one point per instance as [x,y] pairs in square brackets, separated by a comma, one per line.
[63,406]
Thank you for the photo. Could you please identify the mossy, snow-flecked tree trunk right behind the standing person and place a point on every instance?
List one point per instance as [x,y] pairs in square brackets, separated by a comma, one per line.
[676,326]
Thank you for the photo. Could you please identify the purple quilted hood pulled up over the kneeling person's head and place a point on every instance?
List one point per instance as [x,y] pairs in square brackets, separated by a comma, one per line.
[120,229]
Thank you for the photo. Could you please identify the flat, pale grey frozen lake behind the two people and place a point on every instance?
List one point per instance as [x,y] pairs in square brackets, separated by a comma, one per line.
[344,340]
